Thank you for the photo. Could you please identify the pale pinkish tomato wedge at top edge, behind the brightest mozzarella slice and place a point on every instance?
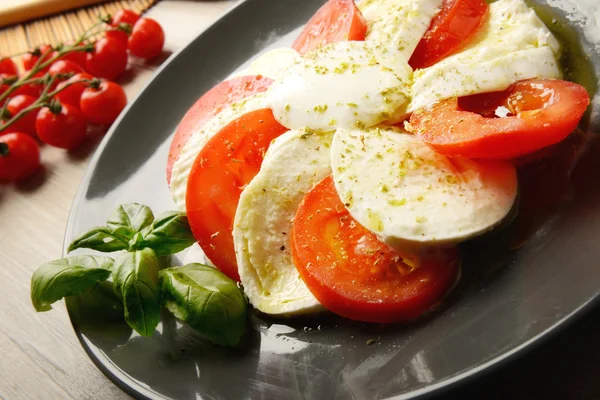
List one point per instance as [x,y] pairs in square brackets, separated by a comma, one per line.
[336,21]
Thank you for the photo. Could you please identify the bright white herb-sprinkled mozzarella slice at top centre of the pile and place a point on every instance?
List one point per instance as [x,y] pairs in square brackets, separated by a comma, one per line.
[343,84]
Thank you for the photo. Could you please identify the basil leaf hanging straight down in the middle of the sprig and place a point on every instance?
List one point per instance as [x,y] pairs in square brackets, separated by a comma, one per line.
[135,279]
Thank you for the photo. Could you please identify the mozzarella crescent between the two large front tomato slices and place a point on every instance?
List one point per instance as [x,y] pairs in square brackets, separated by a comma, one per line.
[294,163]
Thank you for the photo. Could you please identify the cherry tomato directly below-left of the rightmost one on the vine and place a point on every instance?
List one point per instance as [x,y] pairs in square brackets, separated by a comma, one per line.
[108,60]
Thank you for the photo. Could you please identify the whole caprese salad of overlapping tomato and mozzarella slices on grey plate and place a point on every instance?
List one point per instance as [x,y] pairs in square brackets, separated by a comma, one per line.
[341,173]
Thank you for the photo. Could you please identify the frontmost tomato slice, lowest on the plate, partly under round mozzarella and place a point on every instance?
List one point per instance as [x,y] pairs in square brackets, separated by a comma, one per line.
[355,275]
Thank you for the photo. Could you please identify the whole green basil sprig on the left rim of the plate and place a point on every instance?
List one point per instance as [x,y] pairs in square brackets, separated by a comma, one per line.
[199,295]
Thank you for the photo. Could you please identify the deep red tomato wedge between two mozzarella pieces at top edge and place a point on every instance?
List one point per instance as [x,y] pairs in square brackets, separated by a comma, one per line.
[456,22]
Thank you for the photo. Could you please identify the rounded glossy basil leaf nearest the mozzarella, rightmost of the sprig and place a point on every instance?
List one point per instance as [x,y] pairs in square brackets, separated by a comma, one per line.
[207,300]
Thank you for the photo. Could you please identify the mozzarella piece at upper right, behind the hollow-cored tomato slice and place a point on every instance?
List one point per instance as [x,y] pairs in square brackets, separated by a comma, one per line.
[512,45]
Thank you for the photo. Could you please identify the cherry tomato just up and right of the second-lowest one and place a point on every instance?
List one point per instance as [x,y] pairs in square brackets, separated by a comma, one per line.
[104,104]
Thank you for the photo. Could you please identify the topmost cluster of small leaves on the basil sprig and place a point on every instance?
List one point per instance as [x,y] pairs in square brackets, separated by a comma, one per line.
[132,227]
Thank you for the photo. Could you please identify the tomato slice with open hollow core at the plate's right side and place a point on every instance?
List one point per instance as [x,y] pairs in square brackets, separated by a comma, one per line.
[538,113]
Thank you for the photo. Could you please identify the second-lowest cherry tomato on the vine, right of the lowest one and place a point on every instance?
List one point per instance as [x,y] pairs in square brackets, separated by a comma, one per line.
[65,129]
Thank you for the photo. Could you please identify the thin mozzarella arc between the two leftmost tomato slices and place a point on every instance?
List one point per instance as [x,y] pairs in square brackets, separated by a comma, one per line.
[183,165]
